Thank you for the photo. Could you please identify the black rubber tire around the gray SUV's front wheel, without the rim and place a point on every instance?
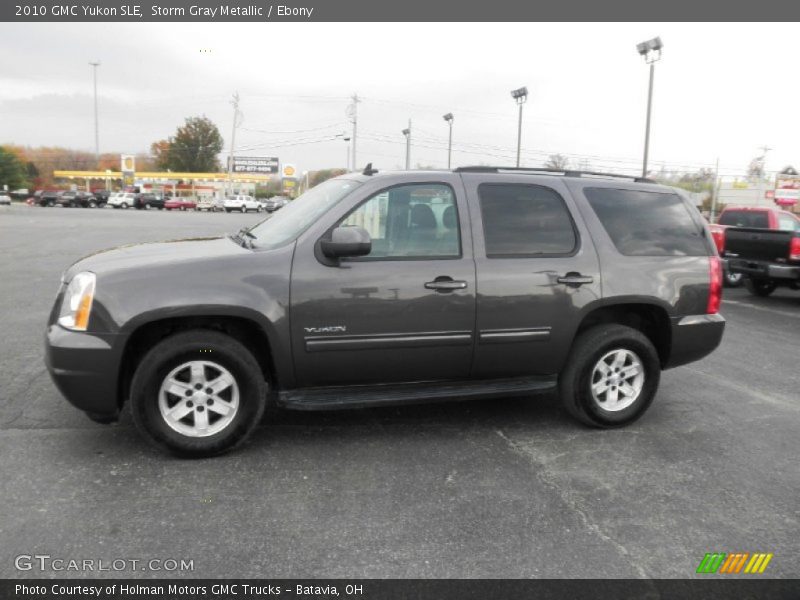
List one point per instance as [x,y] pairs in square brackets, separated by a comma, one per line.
[197,345]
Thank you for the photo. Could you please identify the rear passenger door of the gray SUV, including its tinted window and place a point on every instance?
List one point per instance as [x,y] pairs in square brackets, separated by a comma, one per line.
[536,268]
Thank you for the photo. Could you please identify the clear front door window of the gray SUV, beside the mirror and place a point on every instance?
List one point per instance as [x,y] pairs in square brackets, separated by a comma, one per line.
[410,221]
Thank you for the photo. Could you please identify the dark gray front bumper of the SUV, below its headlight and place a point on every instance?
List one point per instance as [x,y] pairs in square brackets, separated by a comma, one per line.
[85,369]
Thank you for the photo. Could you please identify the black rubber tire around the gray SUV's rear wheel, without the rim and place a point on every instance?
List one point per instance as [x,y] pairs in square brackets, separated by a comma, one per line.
[575,382]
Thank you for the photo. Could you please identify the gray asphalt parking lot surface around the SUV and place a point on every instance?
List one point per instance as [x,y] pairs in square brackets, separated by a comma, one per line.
[501,488]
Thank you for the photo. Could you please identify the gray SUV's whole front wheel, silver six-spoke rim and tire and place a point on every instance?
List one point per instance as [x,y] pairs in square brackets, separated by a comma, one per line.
[198,393]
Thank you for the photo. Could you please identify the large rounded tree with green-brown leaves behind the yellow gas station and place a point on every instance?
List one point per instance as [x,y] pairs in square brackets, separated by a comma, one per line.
[193,148]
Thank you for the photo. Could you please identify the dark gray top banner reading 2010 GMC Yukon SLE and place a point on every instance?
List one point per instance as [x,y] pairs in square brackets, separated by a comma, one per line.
[406,10]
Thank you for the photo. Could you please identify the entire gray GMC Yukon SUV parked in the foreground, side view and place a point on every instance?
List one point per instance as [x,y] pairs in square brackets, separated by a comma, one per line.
[400,287]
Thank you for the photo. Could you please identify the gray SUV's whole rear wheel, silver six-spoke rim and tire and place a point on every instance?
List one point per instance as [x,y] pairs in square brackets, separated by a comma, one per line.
[611,376]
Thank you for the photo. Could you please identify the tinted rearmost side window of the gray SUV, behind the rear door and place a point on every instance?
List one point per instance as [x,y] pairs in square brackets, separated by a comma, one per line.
[642,223]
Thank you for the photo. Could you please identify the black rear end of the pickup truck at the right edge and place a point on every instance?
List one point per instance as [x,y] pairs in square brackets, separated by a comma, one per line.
[766,258]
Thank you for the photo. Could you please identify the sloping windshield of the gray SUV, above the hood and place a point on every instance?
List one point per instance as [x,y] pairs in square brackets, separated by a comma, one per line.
[297,216]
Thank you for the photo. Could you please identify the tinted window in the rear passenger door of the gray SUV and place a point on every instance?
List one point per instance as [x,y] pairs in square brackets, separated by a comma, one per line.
[525,220]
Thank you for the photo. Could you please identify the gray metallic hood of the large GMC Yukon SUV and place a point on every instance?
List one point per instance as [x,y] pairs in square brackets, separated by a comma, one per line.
[151,254]
